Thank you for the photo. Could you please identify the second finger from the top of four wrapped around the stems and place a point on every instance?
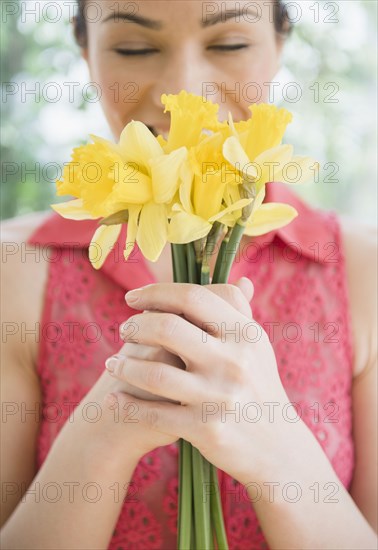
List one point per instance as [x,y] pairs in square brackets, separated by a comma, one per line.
[175,334]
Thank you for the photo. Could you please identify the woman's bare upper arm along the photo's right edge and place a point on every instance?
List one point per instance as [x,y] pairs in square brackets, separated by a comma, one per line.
[360,243]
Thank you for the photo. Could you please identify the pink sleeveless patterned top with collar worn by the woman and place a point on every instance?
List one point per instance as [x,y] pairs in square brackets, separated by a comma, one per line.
[300,300]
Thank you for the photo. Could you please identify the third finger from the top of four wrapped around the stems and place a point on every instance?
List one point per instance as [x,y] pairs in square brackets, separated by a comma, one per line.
[156,377]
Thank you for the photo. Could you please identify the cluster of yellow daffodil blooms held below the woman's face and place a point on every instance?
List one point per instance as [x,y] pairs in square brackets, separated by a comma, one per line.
[174,189]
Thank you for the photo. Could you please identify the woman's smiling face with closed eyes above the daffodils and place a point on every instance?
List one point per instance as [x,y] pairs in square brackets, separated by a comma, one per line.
[225,51]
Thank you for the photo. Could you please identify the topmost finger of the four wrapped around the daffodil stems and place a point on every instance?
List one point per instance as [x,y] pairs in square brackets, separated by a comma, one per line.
[195,302]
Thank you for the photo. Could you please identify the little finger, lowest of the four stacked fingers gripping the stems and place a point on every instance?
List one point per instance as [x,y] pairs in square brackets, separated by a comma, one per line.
[164,417]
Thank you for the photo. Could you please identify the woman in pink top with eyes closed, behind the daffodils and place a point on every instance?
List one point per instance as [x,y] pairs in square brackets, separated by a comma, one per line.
[292,476]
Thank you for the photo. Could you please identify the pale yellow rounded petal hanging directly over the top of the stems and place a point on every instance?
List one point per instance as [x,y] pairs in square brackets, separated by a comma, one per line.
[185,228]
